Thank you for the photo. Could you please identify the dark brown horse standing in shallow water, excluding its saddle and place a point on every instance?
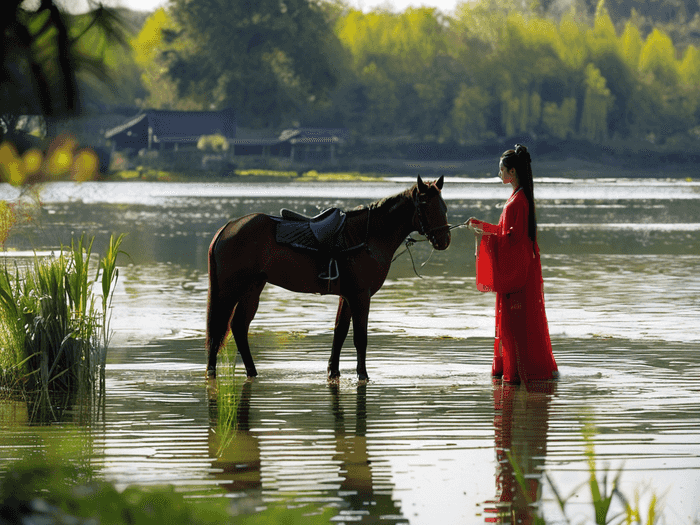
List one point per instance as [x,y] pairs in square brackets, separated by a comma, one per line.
[244,255]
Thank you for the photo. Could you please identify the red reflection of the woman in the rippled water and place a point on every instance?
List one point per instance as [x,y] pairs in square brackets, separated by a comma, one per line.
[521,422]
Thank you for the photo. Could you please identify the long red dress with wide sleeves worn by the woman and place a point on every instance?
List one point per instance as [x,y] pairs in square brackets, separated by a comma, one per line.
[522,349]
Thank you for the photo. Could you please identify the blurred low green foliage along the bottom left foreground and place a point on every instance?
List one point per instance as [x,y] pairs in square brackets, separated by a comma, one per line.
[42,492]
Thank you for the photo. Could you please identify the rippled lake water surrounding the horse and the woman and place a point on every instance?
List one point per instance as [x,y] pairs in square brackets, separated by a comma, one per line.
[423,442]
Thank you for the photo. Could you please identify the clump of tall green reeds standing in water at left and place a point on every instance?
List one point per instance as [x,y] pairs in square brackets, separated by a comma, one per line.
[54,336]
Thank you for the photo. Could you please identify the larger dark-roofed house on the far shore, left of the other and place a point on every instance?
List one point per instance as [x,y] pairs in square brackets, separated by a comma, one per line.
[156,129]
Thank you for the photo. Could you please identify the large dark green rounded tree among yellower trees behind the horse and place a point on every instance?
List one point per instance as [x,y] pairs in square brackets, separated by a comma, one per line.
[266,58]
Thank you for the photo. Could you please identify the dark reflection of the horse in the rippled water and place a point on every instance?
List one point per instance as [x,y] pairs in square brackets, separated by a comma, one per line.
[243,465]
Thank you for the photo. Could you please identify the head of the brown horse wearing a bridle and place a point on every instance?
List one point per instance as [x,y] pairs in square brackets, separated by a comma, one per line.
[431,212]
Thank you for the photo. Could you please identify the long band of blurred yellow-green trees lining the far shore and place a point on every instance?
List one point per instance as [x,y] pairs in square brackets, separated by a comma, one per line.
[596,70]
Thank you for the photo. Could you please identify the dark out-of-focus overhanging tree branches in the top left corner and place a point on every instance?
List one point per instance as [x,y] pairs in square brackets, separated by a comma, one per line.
[44,51]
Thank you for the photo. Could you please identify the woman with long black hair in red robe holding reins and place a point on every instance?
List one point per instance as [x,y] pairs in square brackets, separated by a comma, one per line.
[508,262]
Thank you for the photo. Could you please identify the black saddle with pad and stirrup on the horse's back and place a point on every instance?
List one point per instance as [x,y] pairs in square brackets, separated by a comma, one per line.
[322,233]
